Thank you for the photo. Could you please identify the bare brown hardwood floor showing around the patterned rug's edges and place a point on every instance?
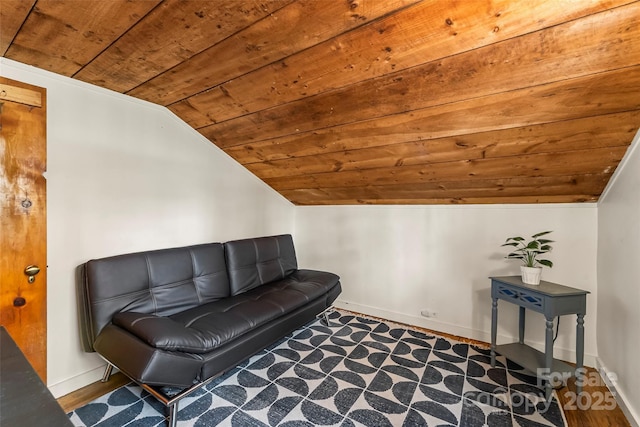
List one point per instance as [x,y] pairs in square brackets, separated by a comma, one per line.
[595,407]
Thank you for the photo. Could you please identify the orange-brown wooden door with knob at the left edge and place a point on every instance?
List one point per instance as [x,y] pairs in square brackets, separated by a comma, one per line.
[23,236]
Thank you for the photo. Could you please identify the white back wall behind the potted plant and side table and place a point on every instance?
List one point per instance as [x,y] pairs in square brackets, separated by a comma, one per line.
[395,261]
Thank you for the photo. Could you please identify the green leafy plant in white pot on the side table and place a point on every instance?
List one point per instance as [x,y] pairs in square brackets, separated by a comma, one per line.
[528,253]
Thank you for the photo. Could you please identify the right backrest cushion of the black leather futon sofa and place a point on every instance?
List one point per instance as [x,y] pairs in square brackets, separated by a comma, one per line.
[254,262]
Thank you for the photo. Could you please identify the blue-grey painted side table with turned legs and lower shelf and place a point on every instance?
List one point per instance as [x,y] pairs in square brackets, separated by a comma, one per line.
[550,299]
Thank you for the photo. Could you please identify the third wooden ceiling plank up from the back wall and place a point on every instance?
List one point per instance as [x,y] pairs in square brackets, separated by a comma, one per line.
[612,130]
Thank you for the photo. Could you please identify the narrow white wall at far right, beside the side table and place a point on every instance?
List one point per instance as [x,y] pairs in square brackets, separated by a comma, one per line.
[619,279]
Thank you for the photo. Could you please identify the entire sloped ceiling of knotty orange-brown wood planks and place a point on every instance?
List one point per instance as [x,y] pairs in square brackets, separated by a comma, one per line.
[369,101]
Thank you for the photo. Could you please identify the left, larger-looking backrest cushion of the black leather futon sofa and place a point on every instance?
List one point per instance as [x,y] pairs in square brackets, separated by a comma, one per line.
[161,282]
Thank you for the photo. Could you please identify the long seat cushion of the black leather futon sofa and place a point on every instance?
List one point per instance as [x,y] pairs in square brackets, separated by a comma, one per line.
[204,328]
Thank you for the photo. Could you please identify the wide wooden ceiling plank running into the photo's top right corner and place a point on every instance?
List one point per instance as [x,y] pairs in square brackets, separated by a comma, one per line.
[531,60]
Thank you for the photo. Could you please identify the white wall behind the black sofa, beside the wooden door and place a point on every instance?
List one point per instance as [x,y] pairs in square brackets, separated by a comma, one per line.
[123,176]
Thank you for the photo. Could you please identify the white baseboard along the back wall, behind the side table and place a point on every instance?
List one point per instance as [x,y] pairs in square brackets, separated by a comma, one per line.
[461,331]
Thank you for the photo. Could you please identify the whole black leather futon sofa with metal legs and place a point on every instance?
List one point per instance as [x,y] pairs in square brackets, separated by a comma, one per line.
[181,317]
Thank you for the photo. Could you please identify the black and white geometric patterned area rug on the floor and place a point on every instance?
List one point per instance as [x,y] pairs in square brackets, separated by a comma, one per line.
[357,372]
